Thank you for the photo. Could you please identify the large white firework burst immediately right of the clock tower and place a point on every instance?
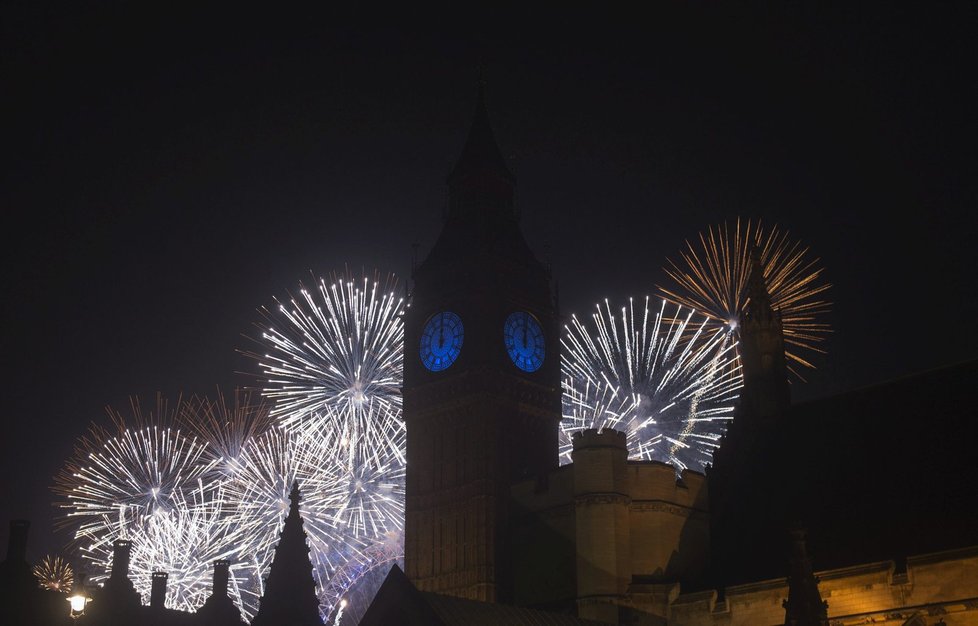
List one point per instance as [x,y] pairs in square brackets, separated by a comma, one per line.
[666,379]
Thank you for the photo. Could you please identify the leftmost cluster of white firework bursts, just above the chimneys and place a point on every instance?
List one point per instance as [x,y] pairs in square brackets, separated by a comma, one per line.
[143,479]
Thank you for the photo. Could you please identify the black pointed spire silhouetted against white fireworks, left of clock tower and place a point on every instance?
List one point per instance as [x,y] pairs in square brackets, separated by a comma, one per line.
[290,591]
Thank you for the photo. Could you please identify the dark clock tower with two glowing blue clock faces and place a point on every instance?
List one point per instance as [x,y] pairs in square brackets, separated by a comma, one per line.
[481,380]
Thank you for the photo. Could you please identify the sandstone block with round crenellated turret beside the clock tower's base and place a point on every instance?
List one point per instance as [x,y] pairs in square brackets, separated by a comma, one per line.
[602,534]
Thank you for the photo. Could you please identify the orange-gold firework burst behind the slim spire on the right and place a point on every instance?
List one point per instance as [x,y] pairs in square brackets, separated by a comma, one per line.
[712,277]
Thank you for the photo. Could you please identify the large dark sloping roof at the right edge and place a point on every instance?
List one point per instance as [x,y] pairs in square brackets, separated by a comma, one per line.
[874,474]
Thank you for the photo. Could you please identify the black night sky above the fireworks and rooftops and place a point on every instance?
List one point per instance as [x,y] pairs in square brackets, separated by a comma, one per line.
[169,171]
